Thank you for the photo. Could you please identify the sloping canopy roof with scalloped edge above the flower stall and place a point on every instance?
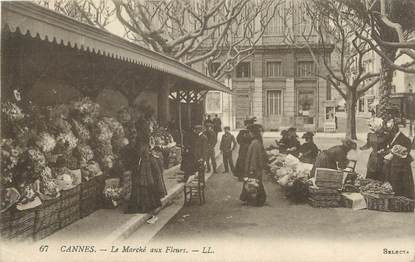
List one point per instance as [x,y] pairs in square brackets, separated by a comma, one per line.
[30,18]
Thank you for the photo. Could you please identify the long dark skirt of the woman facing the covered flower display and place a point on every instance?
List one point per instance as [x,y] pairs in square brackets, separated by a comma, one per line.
[147,189]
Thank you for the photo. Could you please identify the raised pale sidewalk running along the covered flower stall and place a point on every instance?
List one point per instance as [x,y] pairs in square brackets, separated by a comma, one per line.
[111,225]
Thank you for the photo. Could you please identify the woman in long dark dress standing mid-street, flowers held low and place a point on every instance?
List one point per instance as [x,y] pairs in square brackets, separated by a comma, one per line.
[255,165]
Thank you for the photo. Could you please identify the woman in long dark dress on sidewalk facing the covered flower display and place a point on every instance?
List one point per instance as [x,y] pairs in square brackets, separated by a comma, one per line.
[147,184]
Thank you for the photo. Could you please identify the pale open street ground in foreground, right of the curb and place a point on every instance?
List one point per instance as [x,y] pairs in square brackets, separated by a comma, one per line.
[224,217]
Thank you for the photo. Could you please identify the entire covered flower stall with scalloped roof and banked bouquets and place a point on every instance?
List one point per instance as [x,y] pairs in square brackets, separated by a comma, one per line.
[71,94]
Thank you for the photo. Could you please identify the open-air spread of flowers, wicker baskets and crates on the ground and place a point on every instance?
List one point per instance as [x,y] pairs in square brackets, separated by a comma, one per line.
[333,188]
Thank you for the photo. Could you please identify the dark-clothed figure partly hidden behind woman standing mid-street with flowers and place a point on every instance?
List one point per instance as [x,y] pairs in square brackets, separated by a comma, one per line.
[244,139]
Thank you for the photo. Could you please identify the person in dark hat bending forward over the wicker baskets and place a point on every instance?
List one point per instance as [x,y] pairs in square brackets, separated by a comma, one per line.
[335,156]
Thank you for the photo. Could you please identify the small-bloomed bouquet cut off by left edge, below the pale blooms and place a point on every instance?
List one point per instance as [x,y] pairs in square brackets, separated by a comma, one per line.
[10,154]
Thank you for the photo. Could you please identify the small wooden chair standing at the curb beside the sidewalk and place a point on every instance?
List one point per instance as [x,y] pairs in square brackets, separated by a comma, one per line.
[194,188]
